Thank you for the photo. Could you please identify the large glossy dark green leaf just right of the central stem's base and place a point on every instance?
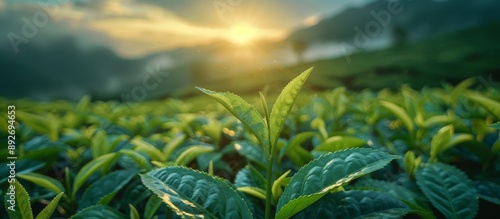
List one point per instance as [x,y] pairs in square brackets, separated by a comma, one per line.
[309,184]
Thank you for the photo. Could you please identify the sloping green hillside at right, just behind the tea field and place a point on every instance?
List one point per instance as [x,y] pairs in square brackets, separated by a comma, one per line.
[451,58]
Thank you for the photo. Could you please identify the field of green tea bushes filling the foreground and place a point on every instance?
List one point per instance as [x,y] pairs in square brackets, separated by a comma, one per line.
[334,154]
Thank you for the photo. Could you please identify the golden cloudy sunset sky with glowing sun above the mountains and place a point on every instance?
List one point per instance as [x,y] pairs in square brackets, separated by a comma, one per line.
[133,28]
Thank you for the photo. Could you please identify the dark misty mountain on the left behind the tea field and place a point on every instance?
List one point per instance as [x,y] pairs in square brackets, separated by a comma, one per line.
[61,69]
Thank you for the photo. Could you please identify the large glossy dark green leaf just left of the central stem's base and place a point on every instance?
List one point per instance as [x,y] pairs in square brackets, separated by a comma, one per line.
[194,194]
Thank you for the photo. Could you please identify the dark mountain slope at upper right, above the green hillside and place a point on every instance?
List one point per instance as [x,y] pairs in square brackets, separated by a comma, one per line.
[418,19]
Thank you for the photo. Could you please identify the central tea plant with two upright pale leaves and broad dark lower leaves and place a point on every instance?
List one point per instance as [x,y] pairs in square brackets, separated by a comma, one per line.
[194,192]
